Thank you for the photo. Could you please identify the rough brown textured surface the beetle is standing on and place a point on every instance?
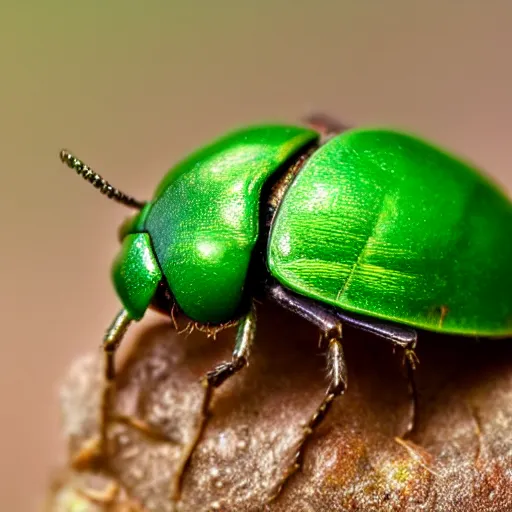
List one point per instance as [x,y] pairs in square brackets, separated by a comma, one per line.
[459,459]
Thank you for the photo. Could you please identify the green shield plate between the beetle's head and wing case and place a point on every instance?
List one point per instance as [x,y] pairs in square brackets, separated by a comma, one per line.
[203,220]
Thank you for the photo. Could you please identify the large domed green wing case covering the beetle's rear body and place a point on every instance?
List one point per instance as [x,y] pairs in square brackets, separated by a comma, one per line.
[383,224]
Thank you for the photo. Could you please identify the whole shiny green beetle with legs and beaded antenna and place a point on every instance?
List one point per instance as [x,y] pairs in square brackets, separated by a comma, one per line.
[366,227]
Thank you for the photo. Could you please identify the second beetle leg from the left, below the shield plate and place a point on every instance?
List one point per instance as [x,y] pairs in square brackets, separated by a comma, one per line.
[213,379]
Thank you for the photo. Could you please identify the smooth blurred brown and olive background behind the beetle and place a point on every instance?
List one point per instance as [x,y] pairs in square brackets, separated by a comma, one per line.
[132,86]
